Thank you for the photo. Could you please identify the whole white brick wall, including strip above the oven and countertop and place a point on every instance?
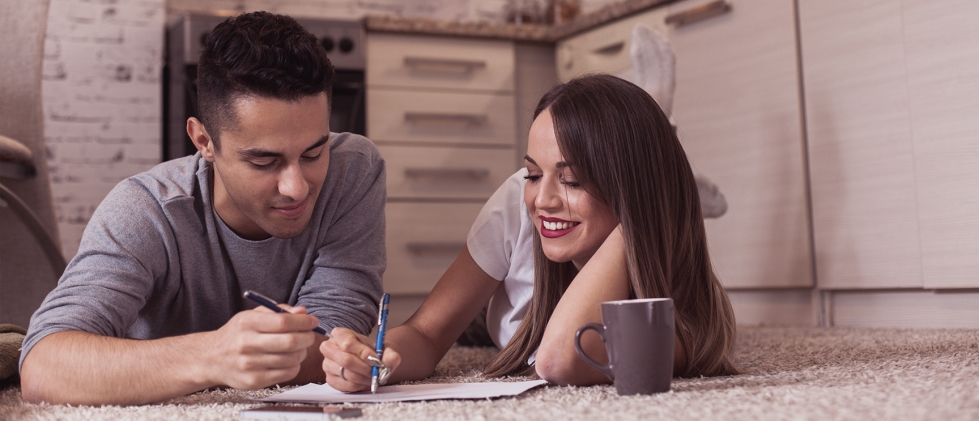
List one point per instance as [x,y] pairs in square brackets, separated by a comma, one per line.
[103,81]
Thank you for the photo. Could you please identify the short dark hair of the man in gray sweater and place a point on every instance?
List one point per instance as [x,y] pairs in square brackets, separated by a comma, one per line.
[258,54]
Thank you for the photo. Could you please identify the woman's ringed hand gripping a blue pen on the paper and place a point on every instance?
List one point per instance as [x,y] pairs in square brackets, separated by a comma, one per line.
[345,360]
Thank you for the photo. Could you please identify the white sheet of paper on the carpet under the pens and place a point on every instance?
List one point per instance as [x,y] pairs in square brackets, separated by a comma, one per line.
[323,393]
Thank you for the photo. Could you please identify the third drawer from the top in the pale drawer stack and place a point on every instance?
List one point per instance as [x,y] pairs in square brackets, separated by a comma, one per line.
[445,172]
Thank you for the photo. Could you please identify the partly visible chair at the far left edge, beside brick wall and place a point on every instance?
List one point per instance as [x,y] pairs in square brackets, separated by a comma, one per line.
[30,259]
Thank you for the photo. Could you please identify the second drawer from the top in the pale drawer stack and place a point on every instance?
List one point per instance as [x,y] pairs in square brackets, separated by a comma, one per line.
[439,117]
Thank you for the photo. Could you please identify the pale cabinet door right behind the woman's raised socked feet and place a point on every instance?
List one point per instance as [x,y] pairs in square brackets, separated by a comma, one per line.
[738,116]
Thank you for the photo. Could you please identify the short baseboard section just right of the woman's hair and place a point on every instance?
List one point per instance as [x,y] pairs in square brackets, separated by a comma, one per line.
[775,307]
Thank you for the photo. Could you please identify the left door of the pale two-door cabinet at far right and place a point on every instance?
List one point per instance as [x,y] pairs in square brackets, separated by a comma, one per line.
[862,166]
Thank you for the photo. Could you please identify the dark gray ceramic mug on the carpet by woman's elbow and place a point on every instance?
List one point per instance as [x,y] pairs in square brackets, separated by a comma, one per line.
[638,336]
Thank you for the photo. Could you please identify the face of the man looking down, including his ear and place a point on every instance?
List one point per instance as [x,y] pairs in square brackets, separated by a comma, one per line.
[271,165]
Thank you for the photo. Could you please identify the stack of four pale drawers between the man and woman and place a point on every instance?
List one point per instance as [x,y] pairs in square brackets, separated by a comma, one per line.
[442,113]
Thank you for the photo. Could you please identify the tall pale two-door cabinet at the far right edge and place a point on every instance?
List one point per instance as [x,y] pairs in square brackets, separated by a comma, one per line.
[891,94]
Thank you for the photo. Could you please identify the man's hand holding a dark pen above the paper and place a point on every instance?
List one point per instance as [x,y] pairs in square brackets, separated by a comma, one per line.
[259,348]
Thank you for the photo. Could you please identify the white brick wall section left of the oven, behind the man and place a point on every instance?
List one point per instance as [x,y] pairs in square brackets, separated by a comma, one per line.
[102,101]
